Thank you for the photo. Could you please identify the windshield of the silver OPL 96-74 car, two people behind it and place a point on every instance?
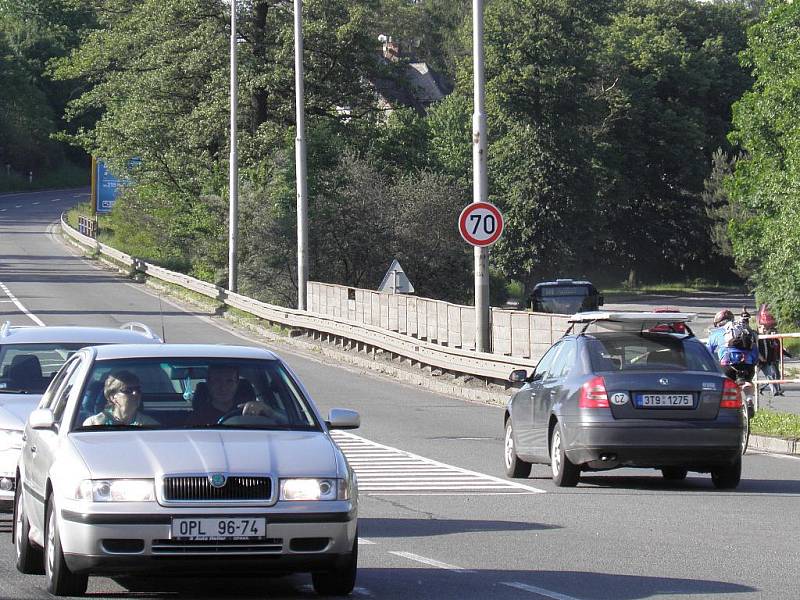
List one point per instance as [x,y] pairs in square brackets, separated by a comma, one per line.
[174,393]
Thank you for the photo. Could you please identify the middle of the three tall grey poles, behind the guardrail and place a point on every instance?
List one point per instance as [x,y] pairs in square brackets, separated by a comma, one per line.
[300,159]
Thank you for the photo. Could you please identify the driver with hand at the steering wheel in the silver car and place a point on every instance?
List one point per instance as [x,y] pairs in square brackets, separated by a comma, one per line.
[223,393]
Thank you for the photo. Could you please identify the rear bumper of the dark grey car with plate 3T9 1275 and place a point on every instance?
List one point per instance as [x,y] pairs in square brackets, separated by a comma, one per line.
[698,446]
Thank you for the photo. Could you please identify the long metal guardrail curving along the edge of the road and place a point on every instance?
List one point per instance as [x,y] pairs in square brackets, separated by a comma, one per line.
[482,364]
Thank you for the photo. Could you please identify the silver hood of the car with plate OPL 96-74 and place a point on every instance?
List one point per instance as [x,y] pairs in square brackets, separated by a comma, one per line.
[147,454]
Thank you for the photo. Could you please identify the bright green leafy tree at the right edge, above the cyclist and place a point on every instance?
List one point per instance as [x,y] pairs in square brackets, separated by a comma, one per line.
[765,188]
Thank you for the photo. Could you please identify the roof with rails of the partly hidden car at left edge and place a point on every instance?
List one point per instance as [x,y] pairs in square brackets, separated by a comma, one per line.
[133,333]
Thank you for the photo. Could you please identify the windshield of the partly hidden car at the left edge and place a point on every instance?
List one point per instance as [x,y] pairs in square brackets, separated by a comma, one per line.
[28,368]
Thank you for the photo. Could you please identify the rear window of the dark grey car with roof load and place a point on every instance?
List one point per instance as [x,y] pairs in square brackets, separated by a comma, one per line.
[628,351]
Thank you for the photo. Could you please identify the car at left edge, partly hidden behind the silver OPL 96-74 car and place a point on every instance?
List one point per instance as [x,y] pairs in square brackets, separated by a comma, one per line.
[29,358]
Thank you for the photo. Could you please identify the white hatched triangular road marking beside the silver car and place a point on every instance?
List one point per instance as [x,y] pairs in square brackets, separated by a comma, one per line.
[385,470]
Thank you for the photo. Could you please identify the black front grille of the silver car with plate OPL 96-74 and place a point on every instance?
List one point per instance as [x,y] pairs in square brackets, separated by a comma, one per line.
[199,488]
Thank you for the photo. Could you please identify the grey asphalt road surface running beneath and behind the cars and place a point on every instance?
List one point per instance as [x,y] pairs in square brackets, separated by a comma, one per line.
[622,535]
